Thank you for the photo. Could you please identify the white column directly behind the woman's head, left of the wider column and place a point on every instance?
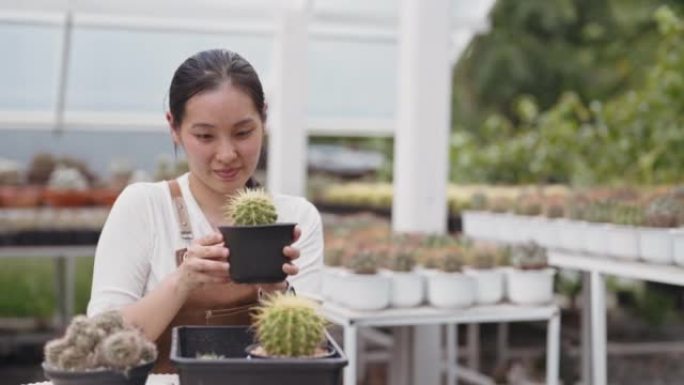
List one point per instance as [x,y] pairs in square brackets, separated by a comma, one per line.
[287,140]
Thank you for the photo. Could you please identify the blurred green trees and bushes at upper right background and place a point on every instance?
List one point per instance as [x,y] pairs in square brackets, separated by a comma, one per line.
[597,91]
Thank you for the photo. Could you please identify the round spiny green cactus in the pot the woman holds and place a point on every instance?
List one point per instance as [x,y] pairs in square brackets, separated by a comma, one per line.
[250,207]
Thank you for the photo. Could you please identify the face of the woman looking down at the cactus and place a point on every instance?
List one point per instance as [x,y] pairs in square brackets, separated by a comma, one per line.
[221,134]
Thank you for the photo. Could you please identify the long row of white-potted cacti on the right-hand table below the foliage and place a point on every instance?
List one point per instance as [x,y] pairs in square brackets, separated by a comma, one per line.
[628,226]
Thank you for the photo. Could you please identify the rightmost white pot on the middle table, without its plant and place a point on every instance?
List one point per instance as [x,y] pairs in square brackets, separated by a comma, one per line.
[530,287]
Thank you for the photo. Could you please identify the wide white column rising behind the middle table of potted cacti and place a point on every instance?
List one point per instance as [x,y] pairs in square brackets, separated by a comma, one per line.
[422,135]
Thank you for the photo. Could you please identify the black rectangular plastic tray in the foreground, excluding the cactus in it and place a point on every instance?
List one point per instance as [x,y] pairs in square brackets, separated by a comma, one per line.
[234,367]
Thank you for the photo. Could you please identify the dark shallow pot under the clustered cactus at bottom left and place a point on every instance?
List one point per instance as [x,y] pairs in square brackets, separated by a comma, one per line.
[135,376]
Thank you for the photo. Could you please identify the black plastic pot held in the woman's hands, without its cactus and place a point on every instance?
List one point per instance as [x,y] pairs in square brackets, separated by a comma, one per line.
[256,252]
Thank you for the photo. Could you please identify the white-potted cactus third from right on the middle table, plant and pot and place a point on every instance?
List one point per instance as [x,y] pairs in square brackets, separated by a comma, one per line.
[447,286]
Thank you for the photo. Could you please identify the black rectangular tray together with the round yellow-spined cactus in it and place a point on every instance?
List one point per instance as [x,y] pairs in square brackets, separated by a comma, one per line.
[288,344]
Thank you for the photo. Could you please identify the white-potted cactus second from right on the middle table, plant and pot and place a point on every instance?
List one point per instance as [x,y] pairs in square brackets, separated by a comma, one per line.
[483,263]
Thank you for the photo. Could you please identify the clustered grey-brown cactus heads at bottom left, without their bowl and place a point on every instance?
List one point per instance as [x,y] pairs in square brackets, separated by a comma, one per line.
[103,341]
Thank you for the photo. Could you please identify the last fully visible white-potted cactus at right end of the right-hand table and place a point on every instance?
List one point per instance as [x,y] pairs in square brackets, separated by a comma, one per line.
[655,239]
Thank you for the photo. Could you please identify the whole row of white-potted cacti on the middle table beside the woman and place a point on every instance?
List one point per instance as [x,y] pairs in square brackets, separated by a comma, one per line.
[443,272]
